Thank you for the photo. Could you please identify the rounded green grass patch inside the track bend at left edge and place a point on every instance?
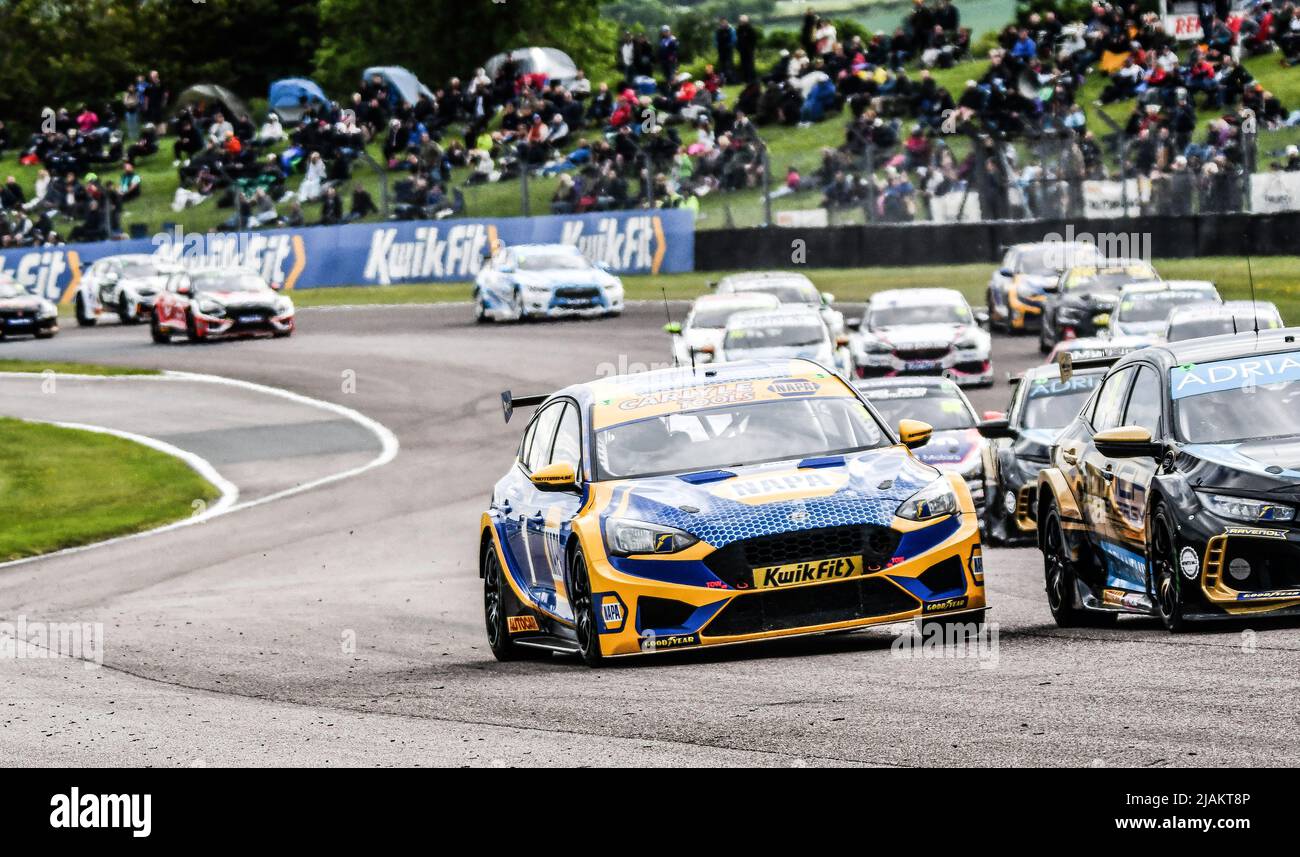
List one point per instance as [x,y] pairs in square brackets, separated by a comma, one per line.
[47,503]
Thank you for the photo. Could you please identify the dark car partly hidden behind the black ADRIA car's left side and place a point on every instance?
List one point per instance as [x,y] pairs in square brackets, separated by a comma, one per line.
[1019,447]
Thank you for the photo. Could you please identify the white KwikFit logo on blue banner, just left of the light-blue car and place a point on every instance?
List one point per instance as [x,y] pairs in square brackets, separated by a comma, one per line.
[456,253]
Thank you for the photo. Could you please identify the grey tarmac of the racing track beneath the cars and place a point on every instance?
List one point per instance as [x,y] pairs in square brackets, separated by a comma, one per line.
[226,642]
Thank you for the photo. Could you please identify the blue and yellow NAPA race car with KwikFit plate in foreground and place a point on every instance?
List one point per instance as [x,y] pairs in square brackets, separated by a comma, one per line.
[720,505]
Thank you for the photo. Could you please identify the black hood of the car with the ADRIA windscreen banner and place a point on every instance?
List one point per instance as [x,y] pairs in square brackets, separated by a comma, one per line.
[1253,469]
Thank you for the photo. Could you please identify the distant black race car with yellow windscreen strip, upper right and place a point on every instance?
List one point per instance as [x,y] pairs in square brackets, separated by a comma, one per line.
[1081,302]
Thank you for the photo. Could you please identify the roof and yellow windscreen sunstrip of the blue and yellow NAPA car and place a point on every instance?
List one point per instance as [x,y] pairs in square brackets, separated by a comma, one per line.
[632,397]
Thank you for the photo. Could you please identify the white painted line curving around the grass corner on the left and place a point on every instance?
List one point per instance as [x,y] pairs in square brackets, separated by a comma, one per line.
[389,448]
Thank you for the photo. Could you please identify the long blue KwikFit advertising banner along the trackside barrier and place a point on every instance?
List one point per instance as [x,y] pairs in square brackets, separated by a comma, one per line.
[634,243]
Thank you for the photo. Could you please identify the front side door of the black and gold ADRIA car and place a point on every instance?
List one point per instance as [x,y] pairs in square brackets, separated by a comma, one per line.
[1128,490]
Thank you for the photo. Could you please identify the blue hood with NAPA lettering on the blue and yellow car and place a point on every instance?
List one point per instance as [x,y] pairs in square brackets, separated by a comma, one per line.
[743,503]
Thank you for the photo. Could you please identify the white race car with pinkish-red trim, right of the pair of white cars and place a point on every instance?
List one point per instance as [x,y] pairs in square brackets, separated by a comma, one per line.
[924,332]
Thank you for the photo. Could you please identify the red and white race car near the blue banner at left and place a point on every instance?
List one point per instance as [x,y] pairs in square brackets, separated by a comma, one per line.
[228,302]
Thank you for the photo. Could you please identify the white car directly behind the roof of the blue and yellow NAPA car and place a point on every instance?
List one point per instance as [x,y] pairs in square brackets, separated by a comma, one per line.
[787,332]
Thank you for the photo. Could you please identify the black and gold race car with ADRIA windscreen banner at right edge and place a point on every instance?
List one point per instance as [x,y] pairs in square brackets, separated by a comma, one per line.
[1177,488]
